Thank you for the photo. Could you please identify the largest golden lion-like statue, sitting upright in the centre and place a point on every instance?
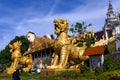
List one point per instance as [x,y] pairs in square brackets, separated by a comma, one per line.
[65,50]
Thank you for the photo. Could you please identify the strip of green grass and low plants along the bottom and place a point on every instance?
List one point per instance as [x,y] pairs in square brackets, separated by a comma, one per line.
[67,75]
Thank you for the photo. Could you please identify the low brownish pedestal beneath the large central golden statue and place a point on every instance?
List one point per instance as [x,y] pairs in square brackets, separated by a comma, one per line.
[54,72]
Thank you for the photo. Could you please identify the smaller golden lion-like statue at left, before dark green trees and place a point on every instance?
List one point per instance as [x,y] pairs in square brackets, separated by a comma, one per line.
[18,58]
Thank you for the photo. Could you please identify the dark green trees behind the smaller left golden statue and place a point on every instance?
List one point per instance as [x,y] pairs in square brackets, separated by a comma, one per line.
[5,57]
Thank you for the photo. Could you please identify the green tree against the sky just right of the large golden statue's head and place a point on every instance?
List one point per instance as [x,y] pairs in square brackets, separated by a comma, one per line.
[79,29]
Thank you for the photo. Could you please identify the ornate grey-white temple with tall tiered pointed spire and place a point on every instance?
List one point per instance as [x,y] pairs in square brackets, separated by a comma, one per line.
[112,22]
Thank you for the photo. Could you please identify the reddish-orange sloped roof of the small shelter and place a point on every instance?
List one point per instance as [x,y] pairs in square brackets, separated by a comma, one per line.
[94,51]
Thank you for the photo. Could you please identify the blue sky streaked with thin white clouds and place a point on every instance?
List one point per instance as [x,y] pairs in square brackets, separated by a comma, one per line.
[17,17]
